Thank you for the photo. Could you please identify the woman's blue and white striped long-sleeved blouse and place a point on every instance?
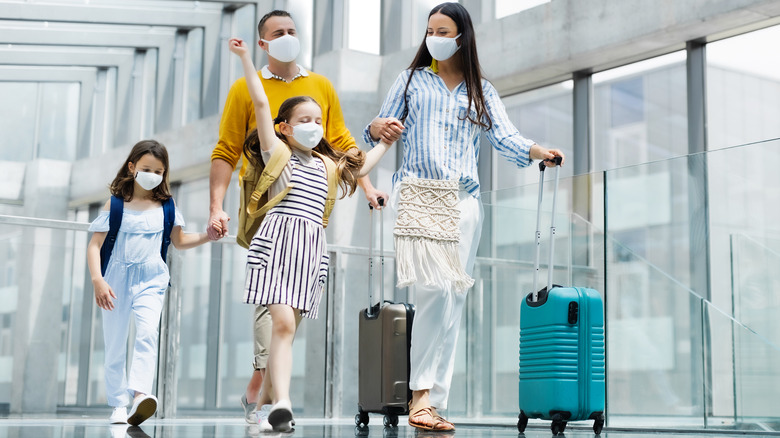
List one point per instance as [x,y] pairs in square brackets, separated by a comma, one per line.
[439,141]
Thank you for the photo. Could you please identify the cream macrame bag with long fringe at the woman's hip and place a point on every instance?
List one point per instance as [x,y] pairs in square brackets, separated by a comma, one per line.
[427,234]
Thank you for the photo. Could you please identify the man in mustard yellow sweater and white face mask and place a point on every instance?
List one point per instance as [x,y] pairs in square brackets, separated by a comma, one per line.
[282,78]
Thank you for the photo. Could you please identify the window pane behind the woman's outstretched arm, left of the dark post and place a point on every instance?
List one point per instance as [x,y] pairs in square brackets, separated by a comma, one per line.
[543,115]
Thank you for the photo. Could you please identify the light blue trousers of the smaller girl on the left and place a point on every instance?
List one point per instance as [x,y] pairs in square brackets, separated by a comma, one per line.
[144,301]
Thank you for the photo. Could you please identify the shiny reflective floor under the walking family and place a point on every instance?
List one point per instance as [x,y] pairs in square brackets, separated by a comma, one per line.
[38,427]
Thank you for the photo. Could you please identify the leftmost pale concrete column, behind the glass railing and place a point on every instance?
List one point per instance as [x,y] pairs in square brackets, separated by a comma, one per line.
[38,318]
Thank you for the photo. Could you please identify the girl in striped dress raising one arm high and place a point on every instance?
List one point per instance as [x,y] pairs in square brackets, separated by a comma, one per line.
[288,261]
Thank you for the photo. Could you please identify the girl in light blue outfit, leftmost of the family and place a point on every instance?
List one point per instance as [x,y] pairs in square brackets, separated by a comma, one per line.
[135,278]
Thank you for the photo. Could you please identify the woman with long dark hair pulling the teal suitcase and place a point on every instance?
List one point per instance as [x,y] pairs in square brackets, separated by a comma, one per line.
[440,105]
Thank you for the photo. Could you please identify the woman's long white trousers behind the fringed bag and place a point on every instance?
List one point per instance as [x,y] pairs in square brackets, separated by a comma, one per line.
[438,311]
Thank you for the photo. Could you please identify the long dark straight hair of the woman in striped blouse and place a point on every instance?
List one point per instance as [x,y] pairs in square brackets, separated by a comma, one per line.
[472,72]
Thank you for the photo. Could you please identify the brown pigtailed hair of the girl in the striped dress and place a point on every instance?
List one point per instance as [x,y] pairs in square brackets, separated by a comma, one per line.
[348,164]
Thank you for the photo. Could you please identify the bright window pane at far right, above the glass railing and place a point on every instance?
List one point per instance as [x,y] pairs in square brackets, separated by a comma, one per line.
[743,89]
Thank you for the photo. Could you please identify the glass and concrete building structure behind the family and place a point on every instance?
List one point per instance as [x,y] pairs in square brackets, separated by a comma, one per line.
[667,111]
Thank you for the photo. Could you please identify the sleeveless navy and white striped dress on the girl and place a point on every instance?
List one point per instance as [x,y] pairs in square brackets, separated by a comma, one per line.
[287,261]
